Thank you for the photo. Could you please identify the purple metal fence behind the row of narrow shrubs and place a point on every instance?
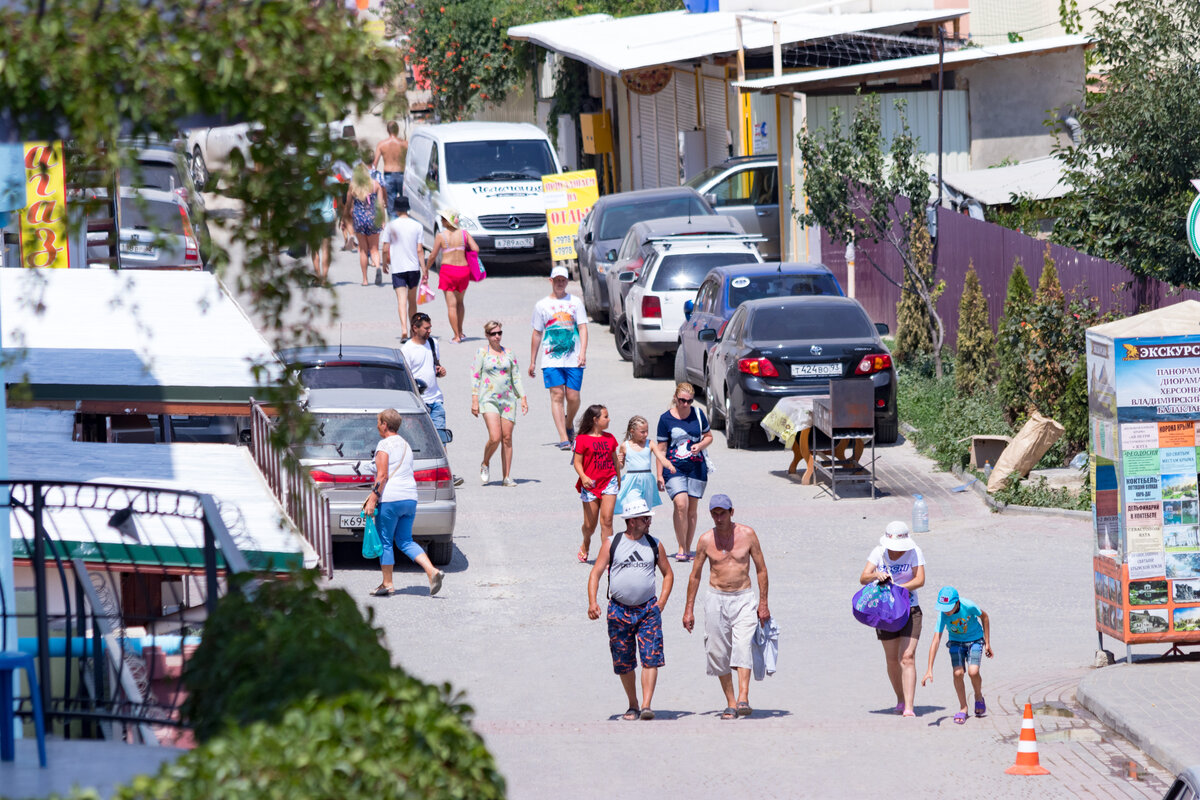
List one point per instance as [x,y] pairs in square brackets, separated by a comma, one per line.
[994,250]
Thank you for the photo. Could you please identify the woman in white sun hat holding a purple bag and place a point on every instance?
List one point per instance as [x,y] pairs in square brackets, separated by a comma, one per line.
[898,560]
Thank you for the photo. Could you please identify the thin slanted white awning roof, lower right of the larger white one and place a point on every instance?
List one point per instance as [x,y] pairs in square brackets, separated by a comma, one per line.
[911,67]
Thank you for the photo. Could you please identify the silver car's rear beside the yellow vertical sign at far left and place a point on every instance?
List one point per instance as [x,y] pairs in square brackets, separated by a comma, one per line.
[157,232]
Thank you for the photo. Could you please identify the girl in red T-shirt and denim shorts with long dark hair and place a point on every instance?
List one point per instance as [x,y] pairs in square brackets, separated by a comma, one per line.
[596,464]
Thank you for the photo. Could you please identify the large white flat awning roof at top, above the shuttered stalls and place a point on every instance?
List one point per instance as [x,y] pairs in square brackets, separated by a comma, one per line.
[616,46]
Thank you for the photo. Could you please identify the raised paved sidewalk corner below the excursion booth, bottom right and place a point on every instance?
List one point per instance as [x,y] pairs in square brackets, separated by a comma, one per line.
[1154,706]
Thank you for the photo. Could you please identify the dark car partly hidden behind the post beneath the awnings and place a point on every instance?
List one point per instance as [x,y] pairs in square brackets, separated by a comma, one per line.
[747,189]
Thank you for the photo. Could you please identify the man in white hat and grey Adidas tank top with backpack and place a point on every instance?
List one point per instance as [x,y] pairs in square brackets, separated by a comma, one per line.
[635,615]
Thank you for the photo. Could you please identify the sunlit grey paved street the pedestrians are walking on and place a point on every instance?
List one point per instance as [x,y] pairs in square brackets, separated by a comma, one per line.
[511,628]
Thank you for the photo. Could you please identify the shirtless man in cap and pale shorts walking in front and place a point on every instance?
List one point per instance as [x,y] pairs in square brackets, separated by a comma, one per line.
[730,618]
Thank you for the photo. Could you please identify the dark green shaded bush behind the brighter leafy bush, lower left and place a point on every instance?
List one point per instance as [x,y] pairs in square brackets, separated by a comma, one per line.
[292,640]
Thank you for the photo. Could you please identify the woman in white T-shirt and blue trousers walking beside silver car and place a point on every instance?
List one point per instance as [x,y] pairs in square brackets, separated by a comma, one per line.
[395,494]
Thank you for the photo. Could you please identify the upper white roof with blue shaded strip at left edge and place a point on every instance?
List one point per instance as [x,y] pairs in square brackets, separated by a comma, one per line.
[140,342]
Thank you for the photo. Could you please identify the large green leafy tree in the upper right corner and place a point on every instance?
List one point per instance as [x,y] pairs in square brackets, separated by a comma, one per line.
[1131,177]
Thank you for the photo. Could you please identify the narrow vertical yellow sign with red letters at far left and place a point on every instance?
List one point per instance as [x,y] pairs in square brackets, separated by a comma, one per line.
[44,221]
